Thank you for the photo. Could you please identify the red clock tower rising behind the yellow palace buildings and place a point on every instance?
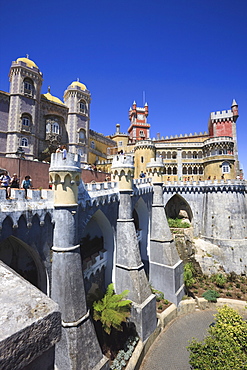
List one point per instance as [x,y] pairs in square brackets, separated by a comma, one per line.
[139,128]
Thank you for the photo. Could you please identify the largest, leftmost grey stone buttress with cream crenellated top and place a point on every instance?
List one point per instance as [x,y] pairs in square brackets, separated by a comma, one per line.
[79,348]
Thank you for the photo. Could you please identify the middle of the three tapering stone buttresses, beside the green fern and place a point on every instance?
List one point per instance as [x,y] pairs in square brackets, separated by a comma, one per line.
[130,272]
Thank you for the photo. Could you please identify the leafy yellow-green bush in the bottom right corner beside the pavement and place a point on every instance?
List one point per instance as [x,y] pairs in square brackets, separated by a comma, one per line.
[226,345]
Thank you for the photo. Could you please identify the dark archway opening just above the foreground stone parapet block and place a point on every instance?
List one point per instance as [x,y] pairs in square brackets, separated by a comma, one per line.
[24,260]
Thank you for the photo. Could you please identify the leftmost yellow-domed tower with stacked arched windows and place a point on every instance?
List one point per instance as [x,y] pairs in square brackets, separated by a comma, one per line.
[23,125]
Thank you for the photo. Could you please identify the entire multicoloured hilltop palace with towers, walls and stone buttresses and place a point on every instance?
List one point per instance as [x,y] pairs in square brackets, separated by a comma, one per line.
[97,214]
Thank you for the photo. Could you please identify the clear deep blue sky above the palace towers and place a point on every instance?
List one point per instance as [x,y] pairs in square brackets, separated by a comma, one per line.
[189,56]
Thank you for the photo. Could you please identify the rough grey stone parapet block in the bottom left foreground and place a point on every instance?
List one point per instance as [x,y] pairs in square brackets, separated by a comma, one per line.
[30,324]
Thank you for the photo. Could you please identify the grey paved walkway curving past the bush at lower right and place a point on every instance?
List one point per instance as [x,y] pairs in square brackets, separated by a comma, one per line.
[169,350]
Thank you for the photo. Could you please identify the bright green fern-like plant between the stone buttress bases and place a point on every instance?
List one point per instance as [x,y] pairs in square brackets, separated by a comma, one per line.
[112,310]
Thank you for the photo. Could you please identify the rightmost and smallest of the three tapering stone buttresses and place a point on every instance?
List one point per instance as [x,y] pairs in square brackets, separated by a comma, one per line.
[166,268]
